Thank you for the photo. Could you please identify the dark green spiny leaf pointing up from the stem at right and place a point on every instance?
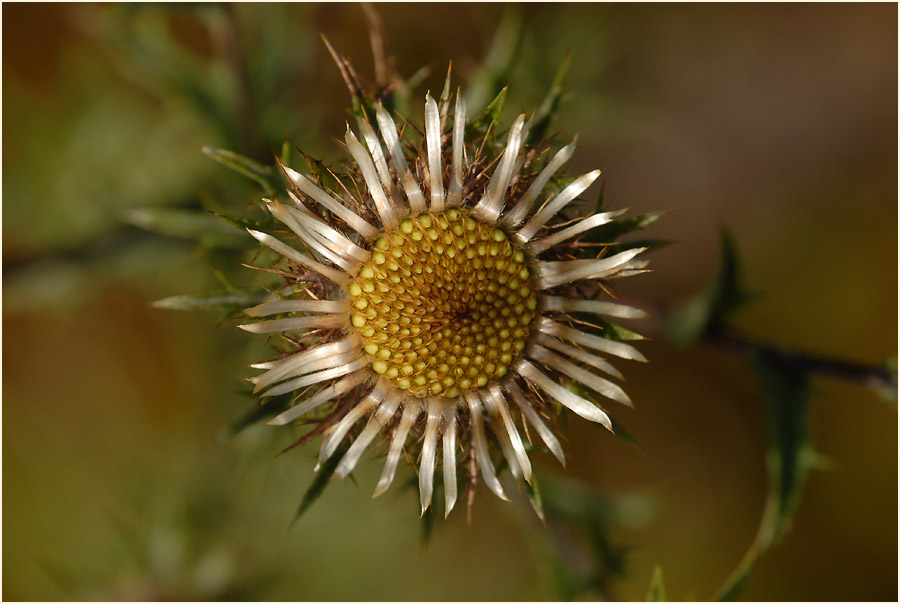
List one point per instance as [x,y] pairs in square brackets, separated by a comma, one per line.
[709,309]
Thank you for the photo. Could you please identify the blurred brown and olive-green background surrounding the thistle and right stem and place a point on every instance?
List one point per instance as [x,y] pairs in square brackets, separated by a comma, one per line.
[778,121]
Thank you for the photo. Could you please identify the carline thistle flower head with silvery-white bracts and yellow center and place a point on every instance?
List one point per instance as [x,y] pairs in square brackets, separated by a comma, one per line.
[433,309]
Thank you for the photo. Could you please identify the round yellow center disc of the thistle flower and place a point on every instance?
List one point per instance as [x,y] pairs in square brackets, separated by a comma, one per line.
[443,305]
